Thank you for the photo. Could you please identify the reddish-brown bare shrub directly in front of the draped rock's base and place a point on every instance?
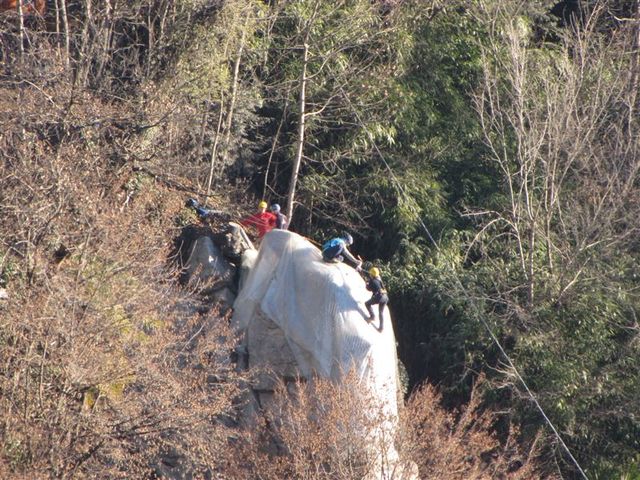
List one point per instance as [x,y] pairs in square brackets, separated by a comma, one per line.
[315,430]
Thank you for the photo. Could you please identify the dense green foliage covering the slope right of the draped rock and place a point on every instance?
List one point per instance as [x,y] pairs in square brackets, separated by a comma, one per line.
[577,352]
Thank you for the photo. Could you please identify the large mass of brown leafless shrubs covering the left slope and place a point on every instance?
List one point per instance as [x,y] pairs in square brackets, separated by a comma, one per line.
[105,370]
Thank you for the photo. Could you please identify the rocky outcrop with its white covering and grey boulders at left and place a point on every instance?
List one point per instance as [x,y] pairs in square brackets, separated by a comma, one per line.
[300,317]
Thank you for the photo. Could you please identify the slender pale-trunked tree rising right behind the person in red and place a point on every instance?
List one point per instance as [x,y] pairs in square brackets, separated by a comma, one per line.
[326,54]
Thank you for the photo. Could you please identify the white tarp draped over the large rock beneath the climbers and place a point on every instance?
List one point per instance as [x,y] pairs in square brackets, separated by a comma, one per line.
[320,309]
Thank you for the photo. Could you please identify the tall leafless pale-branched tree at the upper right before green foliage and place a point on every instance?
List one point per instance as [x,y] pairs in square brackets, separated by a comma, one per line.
[560,127]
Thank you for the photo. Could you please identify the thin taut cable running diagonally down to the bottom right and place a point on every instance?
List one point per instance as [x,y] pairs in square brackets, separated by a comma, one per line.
[476,309]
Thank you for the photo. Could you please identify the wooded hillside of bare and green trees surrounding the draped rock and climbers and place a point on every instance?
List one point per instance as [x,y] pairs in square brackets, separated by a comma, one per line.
[485,154]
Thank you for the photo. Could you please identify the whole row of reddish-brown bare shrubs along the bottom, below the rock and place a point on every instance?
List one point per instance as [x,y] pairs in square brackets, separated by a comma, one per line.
[322,430]
